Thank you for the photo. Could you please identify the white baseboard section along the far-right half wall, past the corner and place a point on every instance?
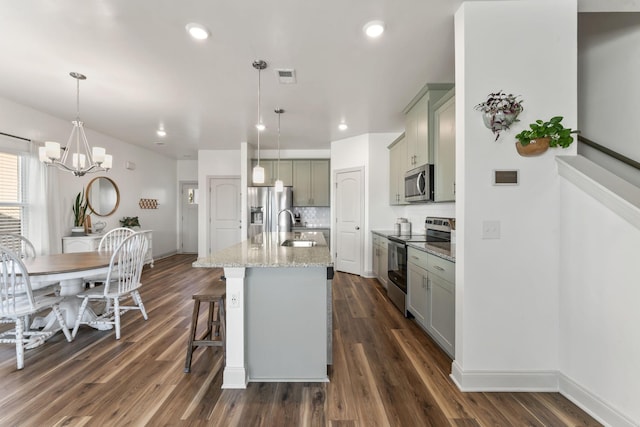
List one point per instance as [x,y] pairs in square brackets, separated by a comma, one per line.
[592,404]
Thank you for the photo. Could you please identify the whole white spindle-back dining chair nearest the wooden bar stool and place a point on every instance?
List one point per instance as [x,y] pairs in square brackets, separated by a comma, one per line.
[122,282]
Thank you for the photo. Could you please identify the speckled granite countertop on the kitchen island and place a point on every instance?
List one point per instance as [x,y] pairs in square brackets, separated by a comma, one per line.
[264,250]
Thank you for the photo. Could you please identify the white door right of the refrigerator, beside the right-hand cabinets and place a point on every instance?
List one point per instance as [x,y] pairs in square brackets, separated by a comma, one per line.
[349,221]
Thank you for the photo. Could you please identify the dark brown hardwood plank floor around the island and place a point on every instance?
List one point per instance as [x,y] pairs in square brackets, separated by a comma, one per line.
[386,372]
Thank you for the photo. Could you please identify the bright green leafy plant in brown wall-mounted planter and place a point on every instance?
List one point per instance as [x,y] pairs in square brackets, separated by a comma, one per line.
[542,135]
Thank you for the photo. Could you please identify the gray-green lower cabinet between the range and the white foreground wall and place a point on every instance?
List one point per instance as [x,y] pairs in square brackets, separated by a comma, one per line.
[431,296]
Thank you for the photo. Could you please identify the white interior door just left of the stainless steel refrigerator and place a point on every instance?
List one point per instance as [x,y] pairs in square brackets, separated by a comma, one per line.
[224,208]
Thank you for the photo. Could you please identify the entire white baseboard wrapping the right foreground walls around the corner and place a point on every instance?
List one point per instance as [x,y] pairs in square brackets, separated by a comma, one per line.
[540,381]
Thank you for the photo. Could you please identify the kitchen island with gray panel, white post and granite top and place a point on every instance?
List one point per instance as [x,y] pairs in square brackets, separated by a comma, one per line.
[278,315]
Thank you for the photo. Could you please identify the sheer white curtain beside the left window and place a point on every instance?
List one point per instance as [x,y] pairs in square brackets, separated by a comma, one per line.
[43,218]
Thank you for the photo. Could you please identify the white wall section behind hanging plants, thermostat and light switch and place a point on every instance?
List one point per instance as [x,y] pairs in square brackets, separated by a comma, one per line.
[507,289]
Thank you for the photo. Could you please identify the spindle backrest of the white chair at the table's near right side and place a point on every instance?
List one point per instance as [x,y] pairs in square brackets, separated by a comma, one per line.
[126,264]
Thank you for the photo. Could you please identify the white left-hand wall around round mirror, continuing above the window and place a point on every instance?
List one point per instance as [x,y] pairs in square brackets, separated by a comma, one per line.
[154,176]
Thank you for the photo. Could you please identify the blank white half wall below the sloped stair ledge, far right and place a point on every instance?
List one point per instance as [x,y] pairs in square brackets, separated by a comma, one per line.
[599,294]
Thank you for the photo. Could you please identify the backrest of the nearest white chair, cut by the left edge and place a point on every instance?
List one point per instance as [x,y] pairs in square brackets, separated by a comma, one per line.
[15,286]
